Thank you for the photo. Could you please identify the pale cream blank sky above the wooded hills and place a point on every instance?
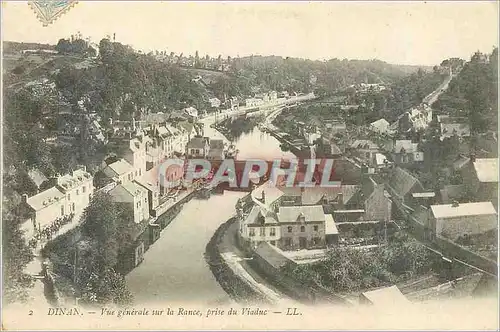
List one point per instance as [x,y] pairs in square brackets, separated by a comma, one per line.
[419,33]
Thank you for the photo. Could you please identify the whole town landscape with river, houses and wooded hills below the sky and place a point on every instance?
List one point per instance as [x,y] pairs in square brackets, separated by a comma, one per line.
[88,199]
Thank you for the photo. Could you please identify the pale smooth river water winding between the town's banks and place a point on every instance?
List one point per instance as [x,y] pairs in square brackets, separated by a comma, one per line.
[174,268]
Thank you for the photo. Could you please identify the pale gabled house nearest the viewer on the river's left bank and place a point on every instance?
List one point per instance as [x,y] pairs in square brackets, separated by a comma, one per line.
[135,195]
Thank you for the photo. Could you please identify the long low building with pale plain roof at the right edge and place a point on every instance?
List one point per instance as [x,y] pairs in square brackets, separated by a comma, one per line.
[455,220]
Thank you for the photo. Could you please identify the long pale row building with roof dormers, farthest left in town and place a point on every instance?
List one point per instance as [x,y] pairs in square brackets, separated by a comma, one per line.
[70,195]
